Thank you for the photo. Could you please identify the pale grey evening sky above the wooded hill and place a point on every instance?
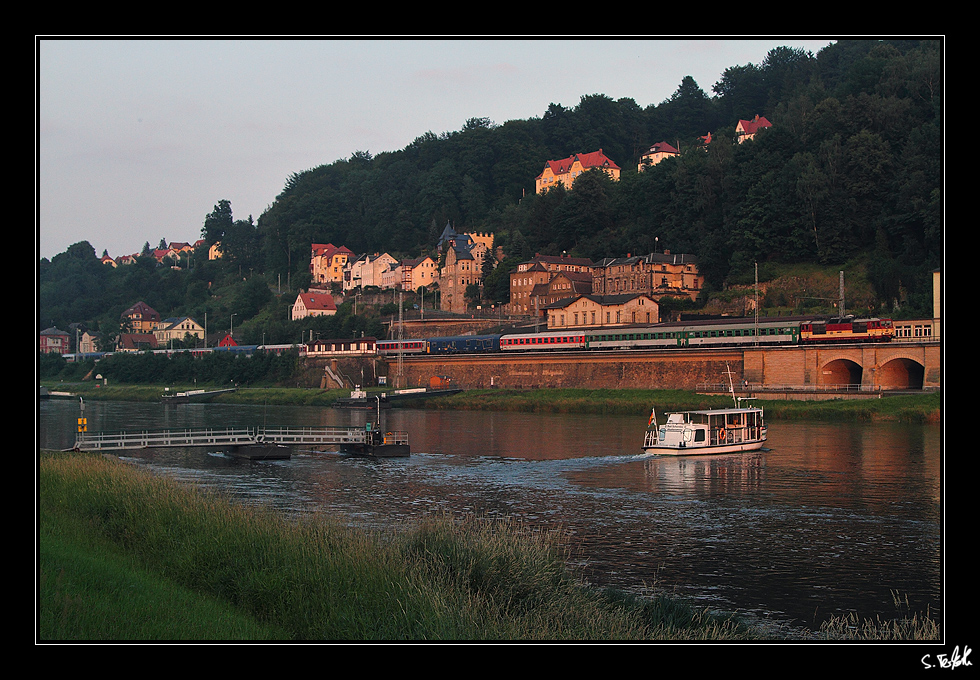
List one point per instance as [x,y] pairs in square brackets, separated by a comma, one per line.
[138,139]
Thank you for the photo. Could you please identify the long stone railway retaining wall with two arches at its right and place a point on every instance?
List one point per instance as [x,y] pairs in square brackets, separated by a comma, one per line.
[831,369]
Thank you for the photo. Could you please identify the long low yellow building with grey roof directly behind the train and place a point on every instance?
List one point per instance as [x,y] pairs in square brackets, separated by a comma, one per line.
[602,311]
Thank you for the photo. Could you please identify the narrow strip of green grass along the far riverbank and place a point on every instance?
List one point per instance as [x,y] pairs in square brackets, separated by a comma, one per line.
[920,408]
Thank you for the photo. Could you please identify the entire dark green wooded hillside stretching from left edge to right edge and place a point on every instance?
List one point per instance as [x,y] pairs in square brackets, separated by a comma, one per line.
[848,176]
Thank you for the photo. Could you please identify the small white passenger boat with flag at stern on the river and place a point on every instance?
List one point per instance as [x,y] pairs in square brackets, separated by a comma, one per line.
[688,433]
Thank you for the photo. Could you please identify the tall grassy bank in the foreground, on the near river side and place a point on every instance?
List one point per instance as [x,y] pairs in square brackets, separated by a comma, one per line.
[126,555]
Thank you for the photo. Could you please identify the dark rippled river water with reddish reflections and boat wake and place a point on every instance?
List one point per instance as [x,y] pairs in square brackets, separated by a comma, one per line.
[831,519]
